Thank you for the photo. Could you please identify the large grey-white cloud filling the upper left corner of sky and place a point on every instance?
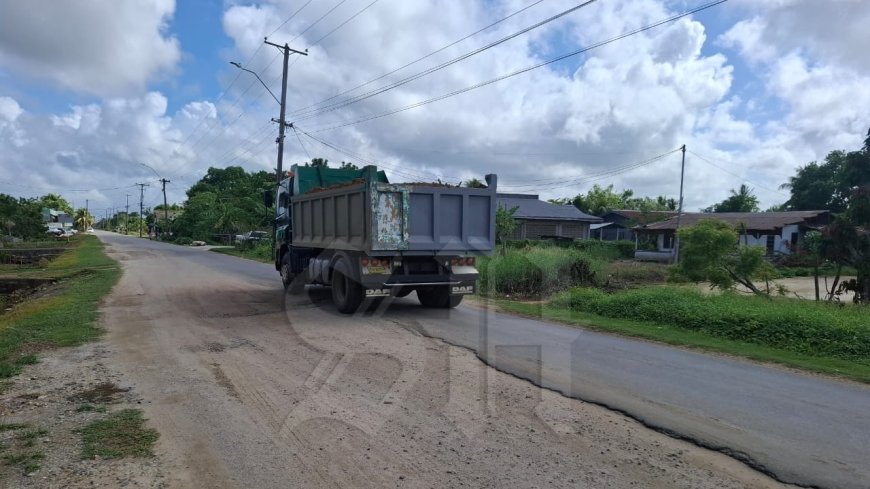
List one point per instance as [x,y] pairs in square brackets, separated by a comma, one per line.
[97,47]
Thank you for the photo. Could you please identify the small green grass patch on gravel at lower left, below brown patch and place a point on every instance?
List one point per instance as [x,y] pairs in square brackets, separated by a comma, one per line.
[121,434]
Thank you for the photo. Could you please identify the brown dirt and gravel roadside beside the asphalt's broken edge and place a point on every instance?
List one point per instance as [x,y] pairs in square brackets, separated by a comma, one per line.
[248,388]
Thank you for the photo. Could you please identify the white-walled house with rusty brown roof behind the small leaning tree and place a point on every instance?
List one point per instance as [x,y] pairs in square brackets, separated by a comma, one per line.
[778,232]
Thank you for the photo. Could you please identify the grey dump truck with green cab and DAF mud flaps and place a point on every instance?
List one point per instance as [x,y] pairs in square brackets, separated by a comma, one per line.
[368,238]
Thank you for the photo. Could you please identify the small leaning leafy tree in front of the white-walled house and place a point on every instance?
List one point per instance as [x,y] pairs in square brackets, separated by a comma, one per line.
[710,251]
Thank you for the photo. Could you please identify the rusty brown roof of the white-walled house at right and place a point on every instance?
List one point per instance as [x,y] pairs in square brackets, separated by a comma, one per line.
[753,221]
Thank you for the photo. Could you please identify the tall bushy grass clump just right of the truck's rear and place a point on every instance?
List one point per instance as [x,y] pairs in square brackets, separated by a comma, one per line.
[537,271]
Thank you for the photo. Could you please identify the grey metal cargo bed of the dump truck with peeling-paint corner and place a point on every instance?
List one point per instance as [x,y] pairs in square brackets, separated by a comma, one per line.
[415,219]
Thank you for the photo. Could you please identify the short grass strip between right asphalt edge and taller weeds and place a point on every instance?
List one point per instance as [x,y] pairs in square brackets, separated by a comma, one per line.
[858,371]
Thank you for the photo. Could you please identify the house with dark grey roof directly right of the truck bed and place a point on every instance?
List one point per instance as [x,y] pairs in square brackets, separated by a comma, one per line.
[538,219]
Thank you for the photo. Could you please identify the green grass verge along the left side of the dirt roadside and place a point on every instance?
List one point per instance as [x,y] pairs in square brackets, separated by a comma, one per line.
[65,317]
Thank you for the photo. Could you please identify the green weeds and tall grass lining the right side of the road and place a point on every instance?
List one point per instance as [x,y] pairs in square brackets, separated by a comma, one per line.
[589,287]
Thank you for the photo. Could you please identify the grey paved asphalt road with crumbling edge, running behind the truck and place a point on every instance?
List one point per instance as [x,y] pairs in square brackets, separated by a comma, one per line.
[799,428]
